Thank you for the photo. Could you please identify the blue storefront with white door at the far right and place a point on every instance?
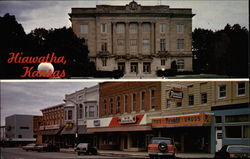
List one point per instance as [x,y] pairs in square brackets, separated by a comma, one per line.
[230,125]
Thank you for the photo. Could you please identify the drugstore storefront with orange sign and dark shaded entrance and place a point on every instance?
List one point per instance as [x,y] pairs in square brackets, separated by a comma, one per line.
[191,132]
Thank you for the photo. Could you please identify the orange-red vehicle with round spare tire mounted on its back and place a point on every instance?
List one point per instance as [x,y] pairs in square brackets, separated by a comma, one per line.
[162,147]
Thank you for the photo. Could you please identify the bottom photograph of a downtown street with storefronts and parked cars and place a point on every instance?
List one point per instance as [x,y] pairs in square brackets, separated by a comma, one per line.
[125,119]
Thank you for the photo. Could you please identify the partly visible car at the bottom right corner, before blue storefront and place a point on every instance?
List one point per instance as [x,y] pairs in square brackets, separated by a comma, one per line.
[233,151]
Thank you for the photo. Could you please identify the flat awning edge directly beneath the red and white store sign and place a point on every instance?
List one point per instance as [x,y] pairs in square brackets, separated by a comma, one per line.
[120,129]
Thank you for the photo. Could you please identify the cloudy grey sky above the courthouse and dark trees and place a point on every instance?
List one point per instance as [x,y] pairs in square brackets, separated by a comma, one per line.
[210,14]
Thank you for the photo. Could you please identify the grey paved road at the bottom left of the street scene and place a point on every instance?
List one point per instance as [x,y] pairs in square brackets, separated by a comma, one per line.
[18,153]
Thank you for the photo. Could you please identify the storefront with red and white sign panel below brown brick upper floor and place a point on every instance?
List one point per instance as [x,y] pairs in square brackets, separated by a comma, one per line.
[126,133]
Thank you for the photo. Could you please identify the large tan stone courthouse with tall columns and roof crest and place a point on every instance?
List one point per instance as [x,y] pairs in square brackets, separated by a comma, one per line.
[139,40]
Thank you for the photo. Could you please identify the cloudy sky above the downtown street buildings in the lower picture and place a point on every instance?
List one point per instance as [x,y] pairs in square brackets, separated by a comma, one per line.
[30,97]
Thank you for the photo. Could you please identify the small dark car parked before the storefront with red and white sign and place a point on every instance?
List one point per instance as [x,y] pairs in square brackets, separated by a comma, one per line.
[85,148]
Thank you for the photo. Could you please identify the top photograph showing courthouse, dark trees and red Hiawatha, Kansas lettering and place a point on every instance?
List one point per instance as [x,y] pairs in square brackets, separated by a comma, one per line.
[130,39]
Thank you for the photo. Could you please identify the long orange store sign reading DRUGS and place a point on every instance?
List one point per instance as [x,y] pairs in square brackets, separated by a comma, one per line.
[185,120]
